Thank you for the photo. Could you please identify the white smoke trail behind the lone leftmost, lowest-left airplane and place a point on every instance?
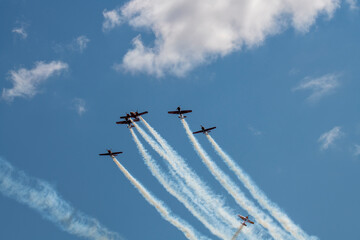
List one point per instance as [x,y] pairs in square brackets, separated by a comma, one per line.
[180,224]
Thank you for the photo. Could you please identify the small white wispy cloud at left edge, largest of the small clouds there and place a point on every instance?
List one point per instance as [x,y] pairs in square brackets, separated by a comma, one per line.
[26,81]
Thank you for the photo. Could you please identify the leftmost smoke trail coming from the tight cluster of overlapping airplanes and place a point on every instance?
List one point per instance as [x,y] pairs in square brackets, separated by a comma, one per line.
[179,192]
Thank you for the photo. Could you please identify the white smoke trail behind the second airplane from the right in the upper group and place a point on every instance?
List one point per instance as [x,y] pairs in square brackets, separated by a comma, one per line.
[234,191]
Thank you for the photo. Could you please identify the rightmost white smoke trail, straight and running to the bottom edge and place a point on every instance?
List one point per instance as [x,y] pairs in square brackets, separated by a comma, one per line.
[259,195]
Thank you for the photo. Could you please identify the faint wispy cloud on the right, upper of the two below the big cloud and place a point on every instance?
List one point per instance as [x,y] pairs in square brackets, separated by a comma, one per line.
[320,86]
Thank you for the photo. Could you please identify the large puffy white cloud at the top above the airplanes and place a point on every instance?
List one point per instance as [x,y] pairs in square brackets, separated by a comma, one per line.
[192,32]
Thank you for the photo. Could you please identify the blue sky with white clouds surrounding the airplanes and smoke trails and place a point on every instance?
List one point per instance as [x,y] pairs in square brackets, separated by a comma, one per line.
[280,83]
